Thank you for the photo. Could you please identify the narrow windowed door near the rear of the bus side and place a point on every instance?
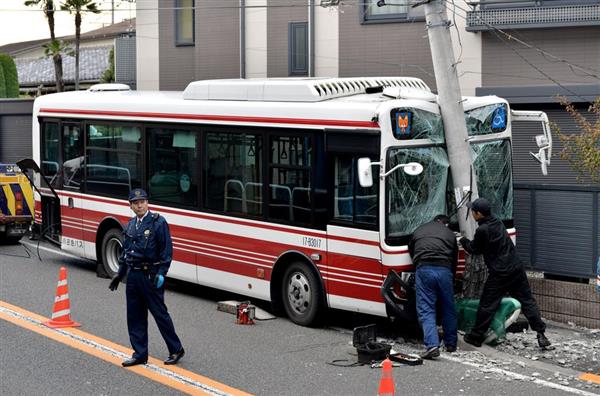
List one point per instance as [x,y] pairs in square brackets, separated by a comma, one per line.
[71,211]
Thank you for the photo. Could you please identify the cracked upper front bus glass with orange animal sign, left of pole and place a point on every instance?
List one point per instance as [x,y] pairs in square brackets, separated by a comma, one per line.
[412,123]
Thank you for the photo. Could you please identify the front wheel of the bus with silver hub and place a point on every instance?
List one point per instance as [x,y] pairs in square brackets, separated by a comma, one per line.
[302,294]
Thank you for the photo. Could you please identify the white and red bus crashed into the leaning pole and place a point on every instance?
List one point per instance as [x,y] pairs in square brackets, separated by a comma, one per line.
[258,180]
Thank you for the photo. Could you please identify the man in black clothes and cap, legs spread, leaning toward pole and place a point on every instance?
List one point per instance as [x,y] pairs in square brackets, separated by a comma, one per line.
[506,274]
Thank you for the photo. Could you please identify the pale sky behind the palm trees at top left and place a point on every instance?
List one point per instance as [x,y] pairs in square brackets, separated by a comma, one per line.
[20,23]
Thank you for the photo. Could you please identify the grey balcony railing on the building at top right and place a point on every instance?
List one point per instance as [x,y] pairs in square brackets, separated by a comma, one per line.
[509,15]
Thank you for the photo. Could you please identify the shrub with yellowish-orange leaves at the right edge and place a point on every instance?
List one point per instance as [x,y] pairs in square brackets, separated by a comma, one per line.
[582,150]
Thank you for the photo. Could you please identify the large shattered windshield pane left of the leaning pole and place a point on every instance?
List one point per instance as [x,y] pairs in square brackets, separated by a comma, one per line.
[414,200]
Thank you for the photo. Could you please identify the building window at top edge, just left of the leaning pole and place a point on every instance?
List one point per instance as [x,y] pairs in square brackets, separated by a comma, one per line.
[382,11]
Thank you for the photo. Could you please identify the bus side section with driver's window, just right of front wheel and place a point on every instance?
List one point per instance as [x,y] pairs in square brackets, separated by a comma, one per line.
[353,278]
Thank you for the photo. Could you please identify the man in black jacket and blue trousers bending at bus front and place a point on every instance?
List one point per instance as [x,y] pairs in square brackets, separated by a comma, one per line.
[434,252]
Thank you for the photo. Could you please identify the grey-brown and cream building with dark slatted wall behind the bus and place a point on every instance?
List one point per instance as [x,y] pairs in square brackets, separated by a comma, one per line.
[528,51]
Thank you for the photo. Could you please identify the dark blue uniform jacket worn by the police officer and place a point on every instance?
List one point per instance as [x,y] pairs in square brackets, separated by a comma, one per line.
[147,245]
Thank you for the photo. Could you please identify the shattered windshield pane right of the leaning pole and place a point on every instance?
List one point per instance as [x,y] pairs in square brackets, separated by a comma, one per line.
[492,162]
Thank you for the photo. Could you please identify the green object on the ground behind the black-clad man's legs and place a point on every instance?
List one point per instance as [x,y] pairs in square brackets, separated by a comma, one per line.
[507,313]
